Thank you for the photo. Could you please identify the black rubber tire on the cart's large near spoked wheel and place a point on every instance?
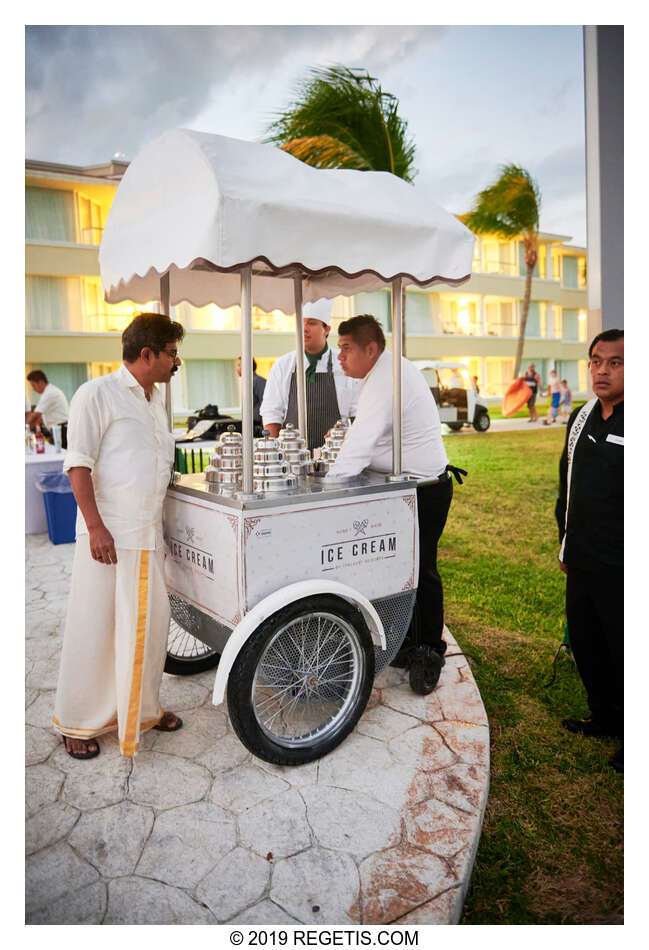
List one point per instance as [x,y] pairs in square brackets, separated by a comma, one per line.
[242,674]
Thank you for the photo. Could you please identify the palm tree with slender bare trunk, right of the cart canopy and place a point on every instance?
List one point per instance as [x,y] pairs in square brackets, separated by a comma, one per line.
[510,208]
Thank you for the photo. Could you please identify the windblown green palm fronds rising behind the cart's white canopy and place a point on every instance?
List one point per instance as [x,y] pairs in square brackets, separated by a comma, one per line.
[343,119]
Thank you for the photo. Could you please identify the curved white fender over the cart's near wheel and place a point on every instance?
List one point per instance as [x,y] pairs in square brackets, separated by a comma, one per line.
[274,602]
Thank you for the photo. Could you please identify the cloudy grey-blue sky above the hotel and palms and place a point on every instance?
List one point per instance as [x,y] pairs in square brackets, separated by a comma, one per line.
[473,97]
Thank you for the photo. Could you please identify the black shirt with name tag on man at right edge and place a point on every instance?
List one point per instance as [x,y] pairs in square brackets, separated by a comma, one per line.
[595,533]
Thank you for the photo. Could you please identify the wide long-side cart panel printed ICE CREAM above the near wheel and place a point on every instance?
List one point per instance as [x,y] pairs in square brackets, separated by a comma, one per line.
[369,543]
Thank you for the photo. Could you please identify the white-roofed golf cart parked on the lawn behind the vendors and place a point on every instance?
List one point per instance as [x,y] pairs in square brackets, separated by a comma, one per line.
[455,393]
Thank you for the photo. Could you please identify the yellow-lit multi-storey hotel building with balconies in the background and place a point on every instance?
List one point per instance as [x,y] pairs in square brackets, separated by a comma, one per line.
[73,335]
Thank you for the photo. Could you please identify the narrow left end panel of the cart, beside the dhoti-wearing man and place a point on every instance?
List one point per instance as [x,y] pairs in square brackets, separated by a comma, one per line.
[202,562]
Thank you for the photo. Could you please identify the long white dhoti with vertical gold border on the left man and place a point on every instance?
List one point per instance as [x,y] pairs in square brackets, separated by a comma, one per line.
[114,646]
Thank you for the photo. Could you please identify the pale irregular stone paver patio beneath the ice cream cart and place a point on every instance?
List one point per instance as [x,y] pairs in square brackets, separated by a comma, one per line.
[196,830]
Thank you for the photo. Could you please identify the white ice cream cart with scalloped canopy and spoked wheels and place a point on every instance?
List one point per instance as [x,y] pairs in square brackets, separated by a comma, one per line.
[300,590]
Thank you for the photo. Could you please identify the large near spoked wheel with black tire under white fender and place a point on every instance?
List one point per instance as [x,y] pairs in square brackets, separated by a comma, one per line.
[301,682]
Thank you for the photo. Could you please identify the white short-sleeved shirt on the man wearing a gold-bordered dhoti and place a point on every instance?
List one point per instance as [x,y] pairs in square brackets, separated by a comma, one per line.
[125,442]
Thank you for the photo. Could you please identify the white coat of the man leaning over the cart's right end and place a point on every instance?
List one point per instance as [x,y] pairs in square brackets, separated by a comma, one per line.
[369,440]
